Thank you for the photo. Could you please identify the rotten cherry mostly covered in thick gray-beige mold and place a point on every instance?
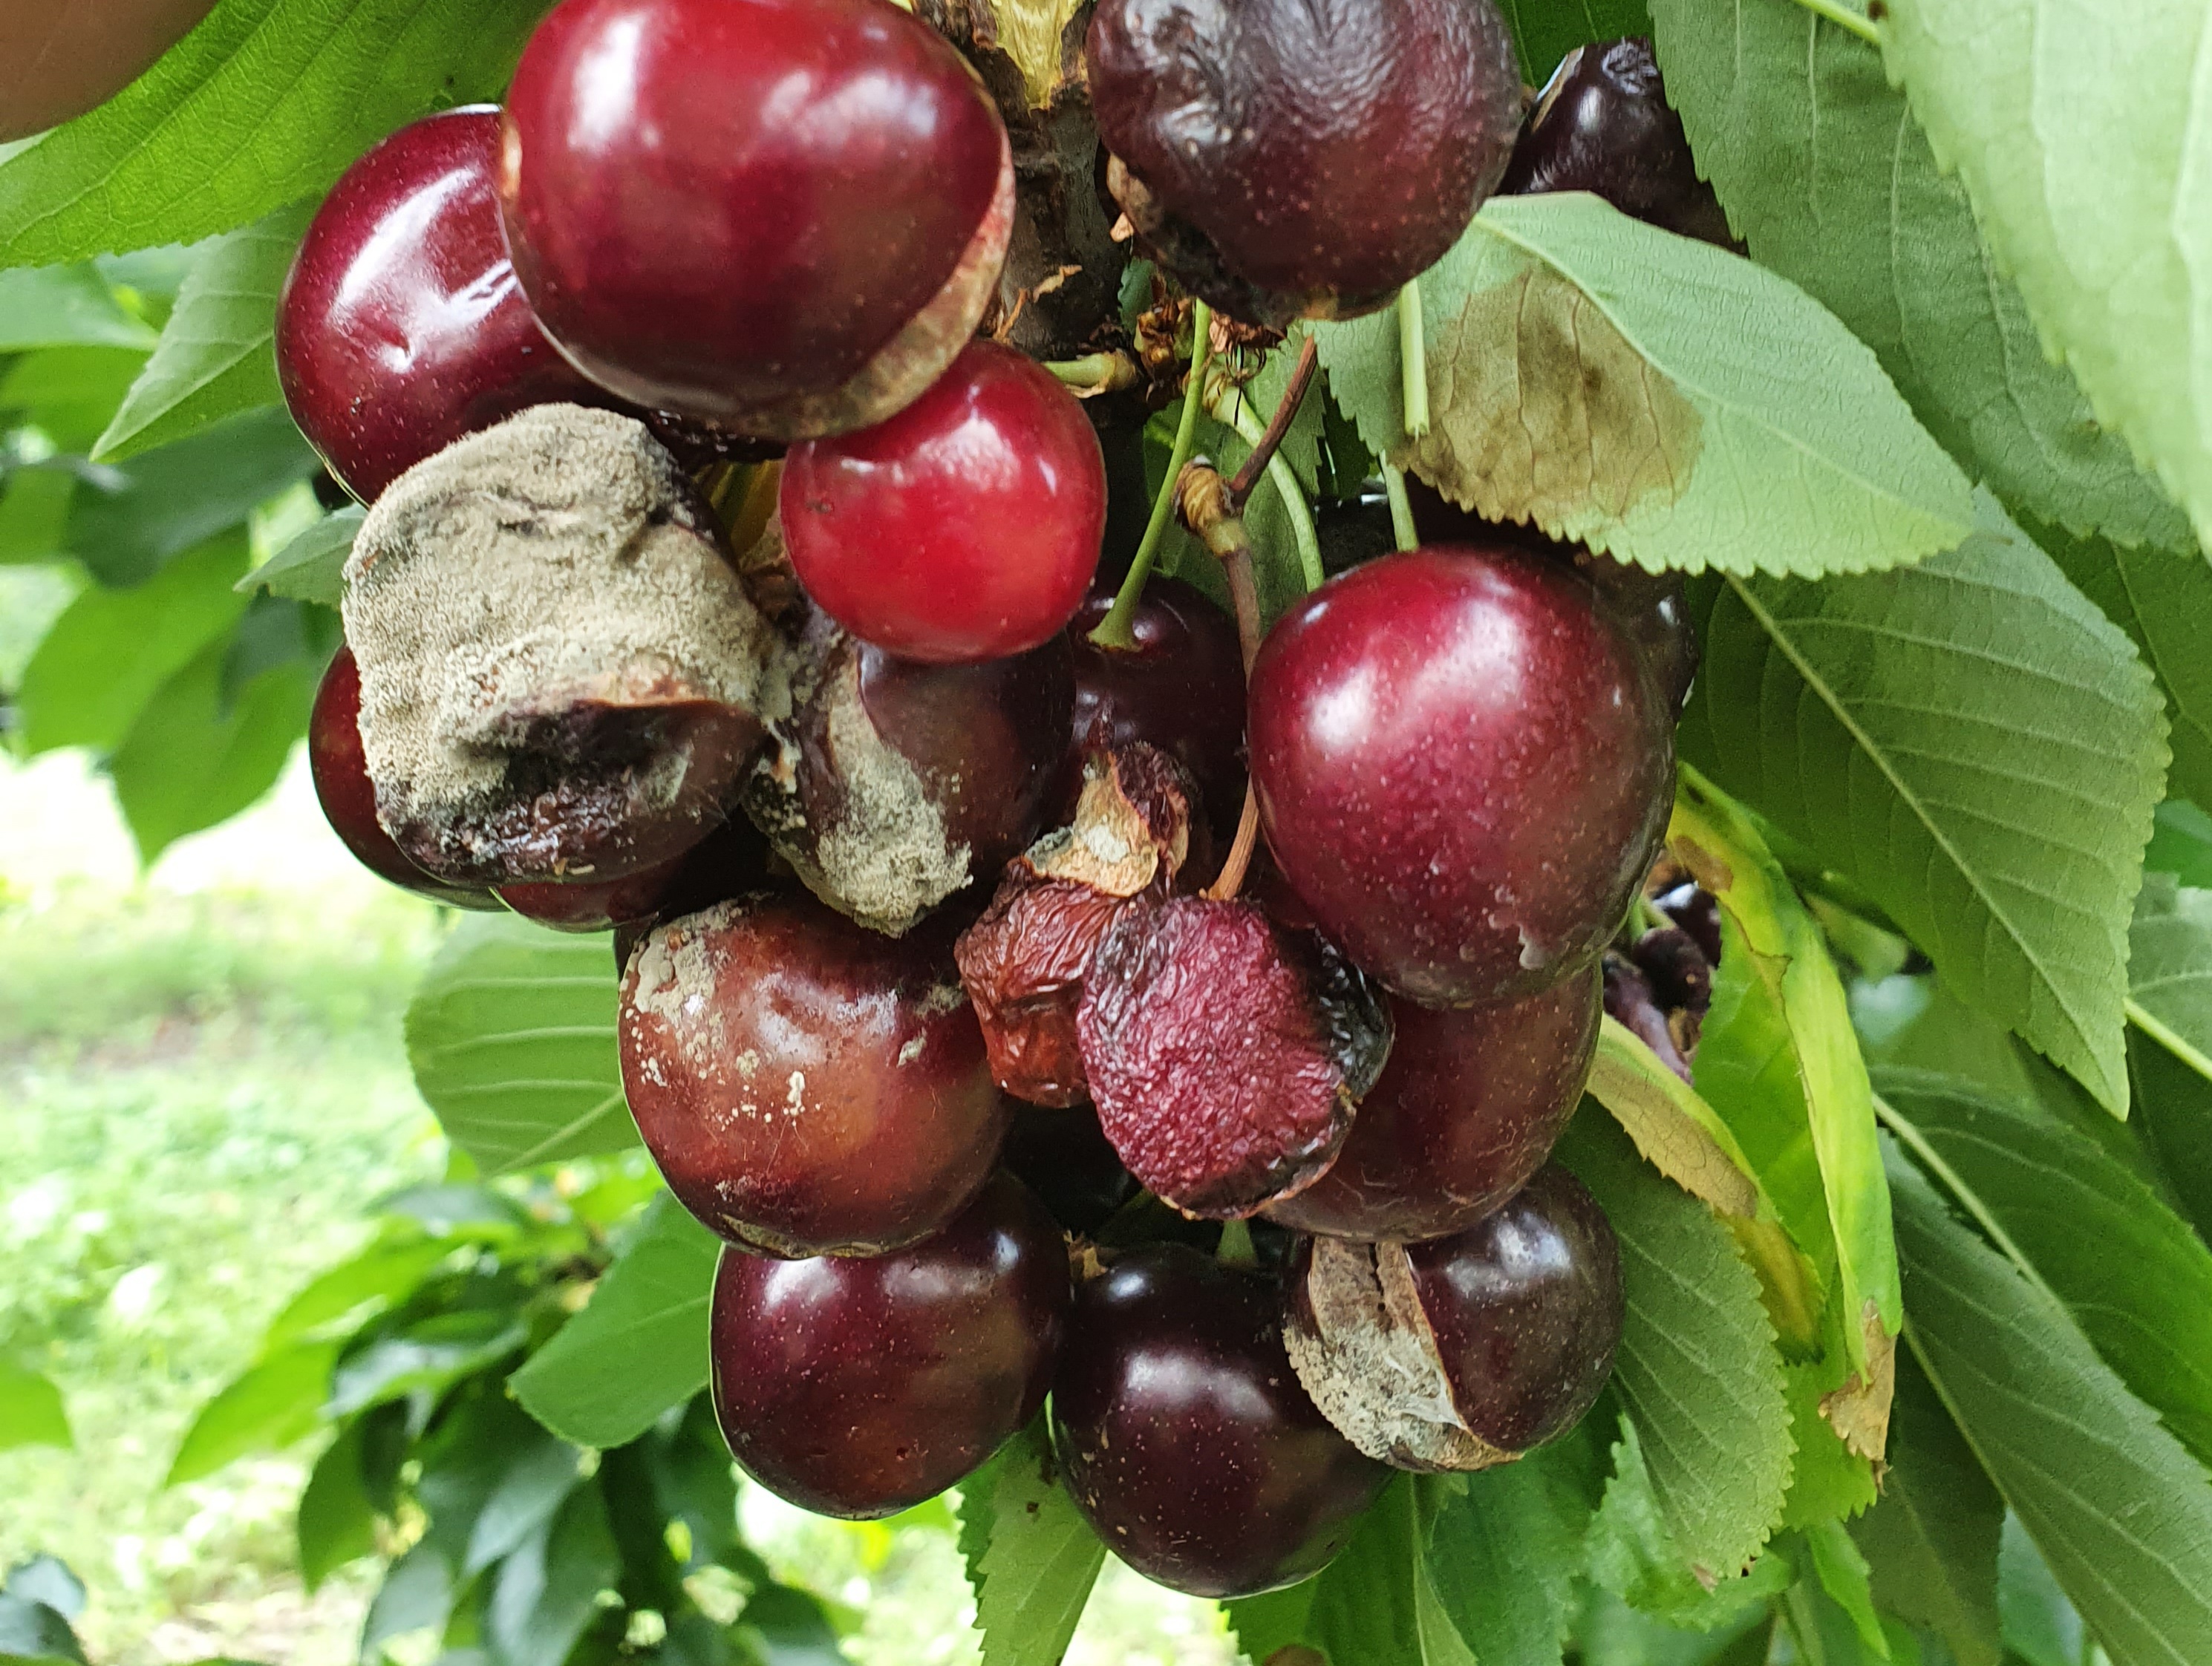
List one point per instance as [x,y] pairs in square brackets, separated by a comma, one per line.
[561,674]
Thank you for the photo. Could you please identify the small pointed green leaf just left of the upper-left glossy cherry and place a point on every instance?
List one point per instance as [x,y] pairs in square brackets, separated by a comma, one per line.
[218,348]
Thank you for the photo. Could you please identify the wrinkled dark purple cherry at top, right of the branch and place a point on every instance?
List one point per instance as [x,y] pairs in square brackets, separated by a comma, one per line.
[1291,160]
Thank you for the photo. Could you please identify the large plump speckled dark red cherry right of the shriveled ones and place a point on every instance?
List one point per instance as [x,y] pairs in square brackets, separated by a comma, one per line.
[1463,769]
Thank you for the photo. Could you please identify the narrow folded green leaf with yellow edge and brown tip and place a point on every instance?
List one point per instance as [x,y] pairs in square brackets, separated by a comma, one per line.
[1782,1063]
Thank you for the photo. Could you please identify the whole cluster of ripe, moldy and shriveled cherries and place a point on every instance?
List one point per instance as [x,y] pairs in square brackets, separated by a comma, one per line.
[988,941]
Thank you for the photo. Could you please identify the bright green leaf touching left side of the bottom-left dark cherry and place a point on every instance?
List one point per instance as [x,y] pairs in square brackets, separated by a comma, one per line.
[640,1344]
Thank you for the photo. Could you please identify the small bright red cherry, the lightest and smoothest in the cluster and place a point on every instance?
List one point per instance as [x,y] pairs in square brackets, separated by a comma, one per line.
[961,530]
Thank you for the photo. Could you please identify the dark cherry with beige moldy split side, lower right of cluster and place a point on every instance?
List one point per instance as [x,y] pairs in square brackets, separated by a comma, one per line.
[1470,1351]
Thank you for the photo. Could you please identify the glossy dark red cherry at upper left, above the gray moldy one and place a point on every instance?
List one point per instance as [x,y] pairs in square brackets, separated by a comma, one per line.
[401,326]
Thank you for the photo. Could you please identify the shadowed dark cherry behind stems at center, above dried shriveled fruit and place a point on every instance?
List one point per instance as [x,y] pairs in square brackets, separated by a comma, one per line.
[1180,687]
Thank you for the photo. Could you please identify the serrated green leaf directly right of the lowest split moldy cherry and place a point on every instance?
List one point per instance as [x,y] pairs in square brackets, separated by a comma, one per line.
[1698,1368]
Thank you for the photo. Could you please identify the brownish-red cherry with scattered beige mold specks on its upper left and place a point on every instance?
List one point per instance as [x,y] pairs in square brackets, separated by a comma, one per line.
[806,1085]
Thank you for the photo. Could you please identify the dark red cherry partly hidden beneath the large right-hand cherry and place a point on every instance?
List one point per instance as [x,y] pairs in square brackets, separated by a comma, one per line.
[1468,1110]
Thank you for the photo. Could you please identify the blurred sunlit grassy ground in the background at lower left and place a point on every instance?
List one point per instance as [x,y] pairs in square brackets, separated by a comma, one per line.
[202,1092]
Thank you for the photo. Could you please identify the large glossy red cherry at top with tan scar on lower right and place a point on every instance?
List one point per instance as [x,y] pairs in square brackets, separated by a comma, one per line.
[775,216]
